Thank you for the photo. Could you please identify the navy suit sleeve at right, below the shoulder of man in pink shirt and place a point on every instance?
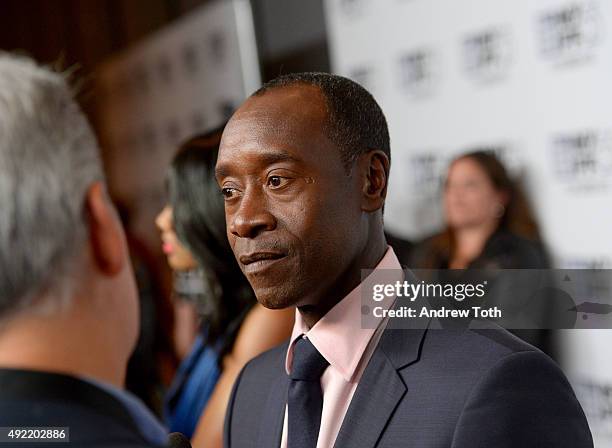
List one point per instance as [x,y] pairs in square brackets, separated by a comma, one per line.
[533,406]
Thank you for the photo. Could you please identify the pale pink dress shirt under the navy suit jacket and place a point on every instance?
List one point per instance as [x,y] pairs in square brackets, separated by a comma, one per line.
[348,347]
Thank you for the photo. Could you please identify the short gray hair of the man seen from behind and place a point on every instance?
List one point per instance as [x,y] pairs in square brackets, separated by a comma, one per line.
[48,159]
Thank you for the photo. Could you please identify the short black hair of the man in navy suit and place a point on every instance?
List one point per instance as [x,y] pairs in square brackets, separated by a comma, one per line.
[356,123]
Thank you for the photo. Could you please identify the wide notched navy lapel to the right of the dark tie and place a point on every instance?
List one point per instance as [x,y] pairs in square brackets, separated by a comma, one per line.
[380,389]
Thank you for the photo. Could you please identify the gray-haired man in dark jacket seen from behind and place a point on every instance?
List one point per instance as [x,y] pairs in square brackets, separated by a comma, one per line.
[68,302]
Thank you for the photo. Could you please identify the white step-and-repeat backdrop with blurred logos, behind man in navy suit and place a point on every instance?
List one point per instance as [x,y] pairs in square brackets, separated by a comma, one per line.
[531,79]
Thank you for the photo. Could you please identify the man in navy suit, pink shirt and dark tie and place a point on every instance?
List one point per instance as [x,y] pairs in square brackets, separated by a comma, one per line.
[304,168]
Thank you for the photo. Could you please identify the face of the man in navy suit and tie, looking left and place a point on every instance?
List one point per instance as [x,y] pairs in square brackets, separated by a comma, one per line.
[292,212]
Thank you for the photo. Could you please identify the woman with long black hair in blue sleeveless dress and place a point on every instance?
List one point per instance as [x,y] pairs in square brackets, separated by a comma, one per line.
[233,326]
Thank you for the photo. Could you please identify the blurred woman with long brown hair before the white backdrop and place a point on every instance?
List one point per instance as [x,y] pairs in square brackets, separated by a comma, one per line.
[489,223]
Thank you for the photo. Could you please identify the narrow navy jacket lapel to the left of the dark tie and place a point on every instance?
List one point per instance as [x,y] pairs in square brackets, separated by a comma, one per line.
[272,420]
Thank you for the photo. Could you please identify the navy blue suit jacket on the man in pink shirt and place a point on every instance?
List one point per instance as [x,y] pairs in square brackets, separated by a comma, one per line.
[428,388]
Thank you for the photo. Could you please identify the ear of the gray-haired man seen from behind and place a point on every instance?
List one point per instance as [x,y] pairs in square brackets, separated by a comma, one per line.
[105,231]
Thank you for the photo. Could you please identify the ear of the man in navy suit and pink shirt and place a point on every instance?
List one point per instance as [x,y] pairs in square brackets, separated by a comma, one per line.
[375,168]
